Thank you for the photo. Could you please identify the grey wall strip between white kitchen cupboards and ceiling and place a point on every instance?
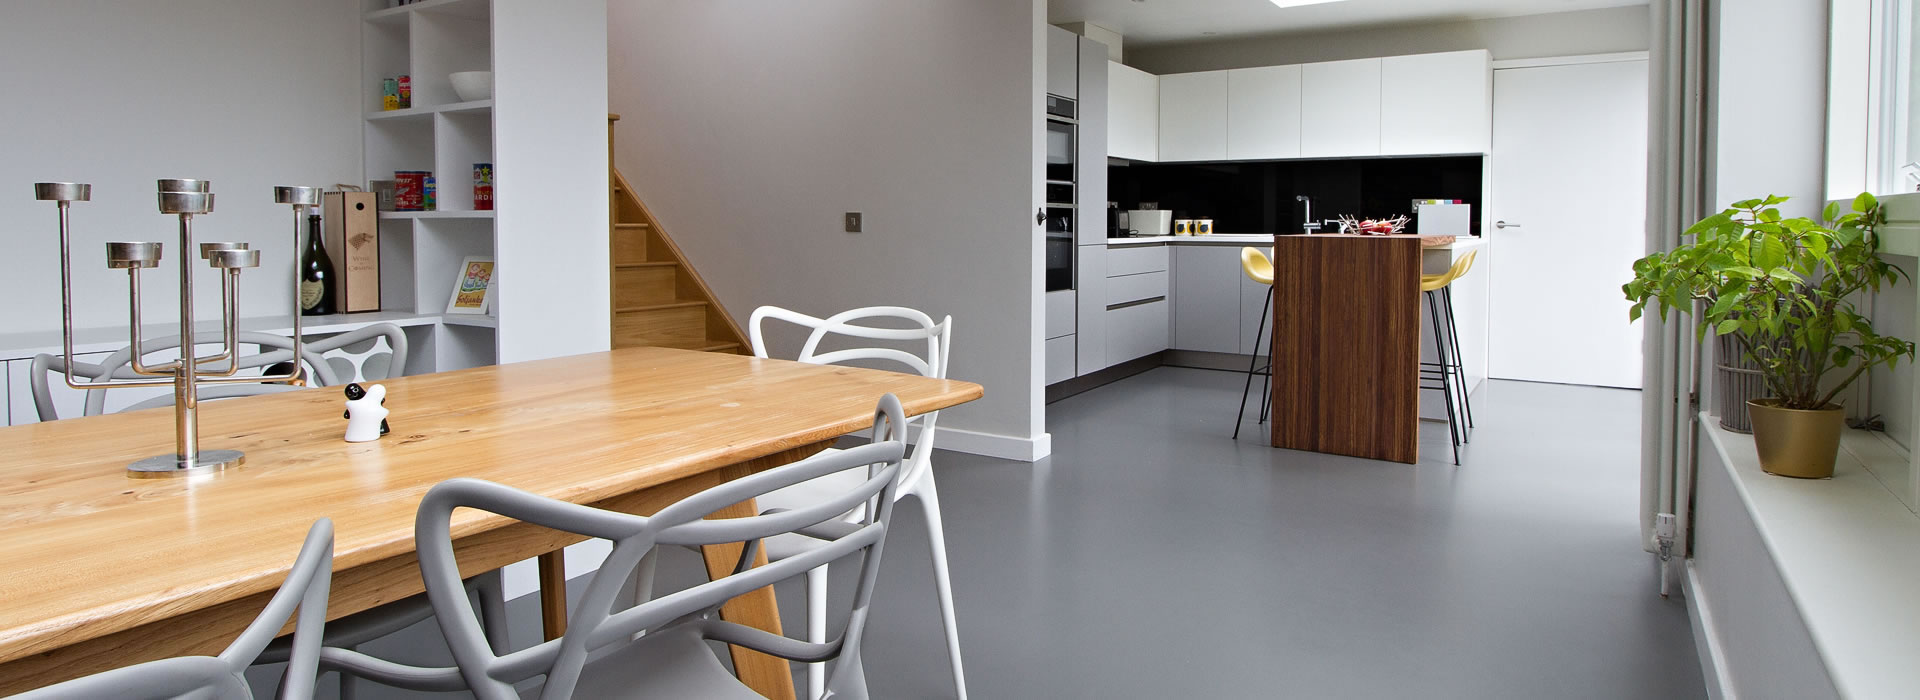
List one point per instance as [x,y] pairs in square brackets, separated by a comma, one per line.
[1570,34]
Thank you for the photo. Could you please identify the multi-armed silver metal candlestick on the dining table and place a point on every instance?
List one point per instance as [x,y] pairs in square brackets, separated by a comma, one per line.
[183,198]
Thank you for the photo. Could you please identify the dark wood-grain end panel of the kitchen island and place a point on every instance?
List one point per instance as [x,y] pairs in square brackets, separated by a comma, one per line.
[1347,344]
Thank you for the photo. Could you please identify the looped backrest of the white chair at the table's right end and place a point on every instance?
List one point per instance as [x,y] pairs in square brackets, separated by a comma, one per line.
[857,325]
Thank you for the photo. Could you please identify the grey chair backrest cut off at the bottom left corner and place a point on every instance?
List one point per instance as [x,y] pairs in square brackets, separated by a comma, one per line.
[222,678]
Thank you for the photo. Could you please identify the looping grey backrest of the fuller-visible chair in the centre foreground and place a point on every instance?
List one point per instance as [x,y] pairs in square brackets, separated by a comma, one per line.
[594,626]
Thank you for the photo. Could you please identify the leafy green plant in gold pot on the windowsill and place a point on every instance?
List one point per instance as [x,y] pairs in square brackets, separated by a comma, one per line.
[1785,289]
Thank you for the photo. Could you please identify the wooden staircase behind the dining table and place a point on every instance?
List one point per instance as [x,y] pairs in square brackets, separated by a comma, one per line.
[658,298]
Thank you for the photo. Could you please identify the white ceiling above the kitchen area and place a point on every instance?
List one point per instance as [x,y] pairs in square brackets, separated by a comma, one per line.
[1159,22]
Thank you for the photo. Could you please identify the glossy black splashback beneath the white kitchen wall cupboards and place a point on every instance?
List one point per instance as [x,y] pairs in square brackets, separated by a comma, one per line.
[1259,197]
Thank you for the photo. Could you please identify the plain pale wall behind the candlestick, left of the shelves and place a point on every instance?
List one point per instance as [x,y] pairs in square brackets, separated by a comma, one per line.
[249,95]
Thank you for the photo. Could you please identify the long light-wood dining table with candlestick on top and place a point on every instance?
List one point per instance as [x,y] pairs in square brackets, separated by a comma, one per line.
[101,571]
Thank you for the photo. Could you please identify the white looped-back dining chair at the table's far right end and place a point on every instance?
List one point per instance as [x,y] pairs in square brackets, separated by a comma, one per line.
[932,342]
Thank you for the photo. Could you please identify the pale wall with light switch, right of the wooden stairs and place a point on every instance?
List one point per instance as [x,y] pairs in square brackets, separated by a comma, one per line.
[750,128]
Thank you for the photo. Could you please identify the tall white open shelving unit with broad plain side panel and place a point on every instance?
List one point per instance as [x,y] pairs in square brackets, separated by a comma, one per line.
[544,129]
